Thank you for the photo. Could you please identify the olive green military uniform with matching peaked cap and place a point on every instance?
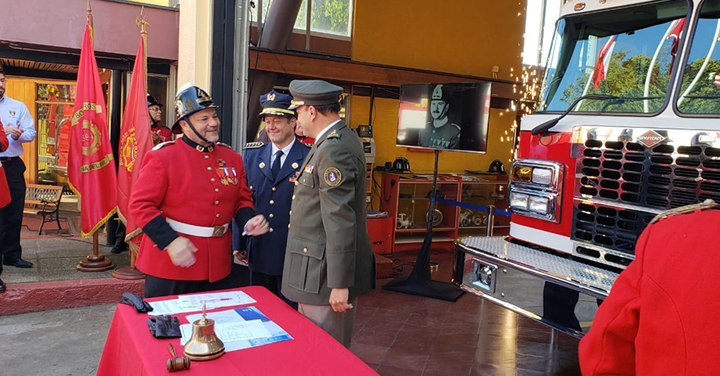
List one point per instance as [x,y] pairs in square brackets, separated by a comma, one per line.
[328,244]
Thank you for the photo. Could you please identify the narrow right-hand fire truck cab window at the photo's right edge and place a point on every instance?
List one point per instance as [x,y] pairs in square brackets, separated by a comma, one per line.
[700,86]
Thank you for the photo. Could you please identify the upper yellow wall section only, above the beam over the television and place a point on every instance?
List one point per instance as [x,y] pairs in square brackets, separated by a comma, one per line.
[457,36]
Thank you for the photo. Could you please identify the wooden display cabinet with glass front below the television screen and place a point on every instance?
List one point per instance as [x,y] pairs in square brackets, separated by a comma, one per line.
[406,198]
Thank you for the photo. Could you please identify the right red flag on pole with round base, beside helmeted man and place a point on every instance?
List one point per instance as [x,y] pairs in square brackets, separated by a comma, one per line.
[135,141]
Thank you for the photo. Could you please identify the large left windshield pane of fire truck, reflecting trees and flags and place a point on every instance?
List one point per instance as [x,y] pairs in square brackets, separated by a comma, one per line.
[626,52]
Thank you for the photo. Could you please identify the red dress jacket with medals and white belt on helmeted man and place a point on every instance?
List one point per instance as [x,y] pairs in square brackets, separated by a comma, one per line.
[200,188]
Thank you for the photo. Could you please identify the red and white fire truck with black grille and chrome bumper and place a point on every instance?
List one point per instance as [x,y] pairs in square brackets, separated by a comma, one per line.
[627,126]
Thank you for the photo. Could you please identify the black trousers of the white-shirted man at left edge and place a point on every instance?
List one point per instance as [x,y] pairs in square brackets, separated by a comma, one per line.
[11,215]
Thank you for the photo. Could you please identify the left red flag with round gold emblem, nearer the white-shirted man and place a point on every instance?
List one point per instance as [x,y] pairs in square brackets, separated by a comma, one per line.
[91,167]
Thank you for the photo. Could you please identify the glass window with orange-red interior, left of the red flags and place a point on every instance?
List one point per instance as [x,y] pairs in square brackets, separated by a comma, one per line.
[54,108]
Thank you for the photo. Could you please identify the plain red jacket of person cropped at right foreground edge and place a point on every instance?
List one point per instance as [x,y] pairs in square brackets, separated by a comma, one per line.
[662,314]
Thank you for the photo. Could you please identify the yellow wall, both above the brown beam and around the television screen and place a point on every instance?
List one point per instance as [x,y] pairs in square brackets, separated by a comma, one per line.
[454,36]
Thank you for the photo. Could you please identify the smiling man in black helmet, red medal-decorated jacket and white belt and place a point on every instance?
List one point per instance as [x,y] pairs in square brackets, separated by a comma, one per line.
[187,193]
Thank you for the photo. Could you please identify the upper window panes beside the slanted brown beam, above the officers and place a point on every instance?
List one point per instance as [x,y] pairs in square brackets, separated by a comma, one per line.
[331,18]
